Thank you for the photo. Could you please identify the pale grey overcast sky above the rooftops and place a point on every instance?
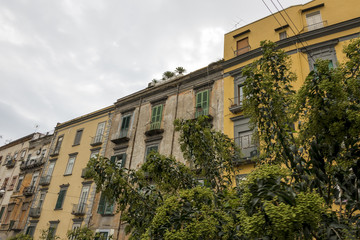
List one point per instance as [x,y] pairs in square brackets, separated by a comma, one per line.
[60,59]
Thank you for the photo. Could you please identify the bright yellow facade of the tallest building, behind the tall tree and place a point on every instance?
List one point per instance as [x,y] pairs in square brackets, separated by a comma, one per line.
[319,29]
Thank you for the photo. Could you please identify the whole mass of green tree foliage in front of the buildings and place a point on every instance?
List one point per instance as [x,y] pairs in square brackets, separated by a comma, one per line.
[302,170]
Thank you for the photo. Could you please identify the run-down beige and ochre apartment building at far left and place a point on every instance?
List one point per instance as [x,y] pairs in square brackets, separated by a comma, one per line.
[21,164]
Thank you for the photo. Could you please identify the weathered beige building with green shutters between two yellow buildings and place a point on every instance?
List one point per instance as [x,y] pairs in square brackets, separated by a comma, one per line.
[143,121]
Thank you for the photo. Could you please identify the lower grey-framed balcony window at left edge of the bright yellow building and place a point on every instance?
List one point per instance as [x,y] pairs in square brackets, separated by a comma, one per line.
[243,138]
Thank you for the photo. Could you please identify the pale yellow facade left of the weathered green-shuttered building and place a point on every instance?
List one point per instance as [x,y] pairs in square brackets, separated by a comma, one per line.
[70,154]
